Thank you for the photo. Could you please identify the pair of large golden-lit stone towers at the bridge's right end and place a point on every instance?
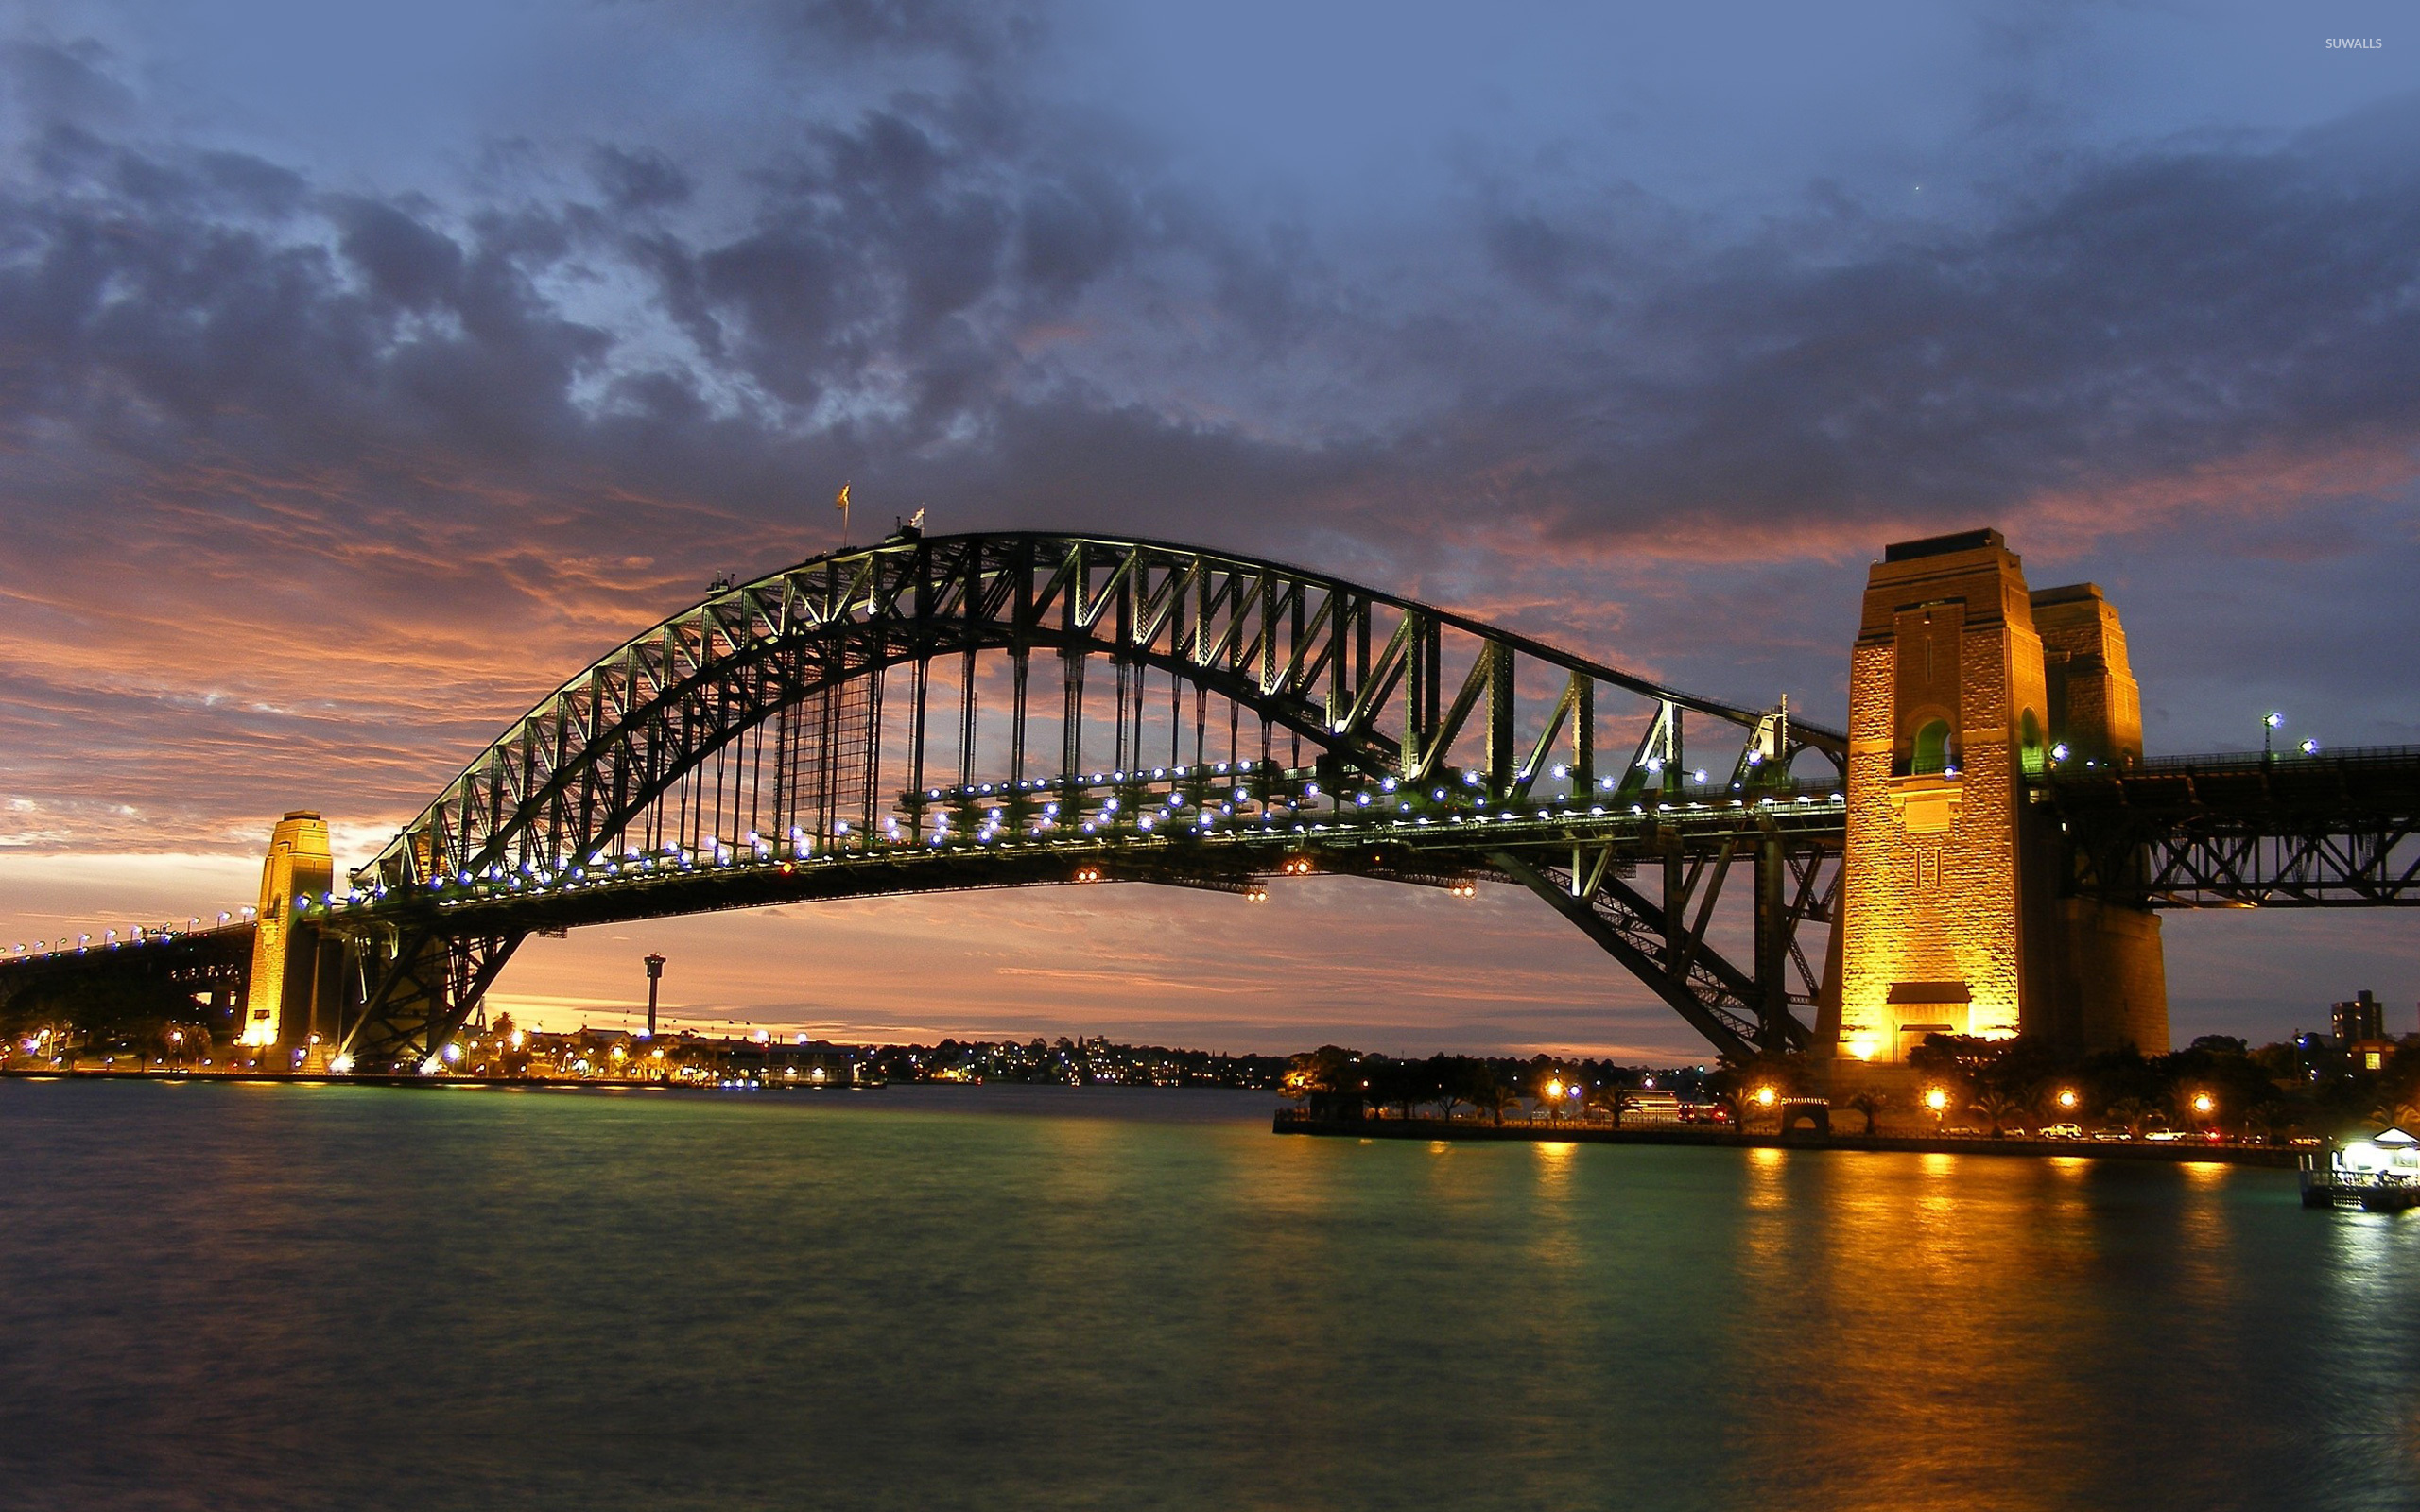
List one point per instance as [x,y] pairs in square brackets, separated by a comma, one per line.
[1964,688]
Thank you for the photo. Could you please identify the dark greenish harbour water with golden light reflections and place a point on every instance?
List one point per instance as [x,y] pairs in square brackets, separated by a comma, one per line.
[1066,1298]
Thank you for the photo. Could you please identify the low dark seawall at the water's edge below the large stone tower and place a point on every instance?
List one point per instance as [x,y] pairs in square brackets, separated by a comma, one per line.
[2276,1158]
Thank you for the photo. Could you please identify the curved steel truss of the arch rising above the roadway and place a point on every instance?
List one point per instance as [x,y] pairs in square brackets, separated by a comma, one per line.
[1291,647]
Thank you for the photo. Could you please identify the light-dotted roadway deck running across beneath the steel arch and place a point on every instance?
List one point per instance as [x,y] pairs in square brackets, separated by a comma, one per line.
[1226,858]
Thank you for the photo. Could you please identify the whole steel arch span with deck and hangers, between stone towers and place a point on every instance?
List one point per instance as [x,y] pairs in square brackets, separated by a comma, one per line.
[875,722]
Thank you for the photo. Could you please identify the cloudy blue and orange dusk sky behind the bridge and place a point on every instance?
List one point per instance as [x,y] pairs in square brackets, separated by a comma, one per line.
[364,379]
